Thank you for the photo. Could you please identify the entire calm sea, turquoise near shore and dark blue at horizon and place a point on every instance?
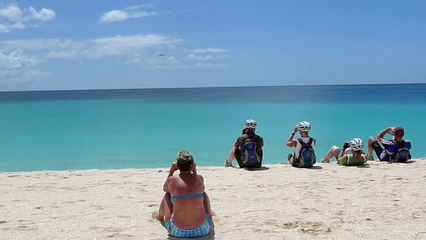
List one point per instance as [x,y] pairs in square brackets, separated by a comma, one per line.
[113,129]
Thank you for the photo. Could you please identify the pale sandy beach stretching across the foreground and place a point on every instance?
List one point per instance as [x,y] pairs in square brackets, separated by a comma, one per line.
[379,201]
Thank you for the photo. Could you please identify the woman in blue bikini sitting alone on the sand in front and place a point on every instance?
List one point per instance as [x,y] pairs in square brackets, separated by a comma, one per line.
[185,209]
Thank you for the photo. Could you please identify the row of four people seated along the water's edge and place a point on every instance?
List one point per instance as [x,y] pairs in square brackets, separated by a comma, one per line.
[248,153]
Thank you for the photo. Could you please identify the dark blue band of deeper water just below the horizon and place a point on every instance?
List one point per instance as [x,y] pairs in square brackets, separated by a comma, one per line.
[233,94]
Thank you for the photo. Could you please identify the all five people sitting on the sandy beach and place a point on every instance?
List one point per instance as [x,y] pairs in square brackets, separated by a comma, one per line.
[185,208]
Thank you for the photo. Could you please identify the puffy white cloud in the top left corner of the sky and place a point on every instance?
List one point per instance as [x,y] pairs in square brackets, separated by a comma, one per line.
[12,17]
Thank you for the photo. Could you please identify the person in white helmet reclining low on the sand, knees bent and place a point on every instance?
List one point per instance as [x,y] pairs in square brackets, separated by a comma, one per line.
[350,155]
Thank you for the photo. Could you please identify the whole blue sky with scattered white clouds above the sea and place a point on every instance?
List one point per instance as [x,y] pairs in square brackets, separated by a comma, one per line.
[97,44]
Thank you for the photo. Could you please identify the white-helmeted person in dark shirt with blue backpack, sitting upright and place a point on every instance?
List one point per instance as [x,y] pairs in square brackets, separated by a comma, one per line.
[247,149]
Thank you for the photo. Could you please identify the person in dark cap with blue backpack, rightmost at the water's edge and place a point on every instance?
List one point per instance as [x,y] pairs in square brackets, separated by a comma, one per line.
[395,150]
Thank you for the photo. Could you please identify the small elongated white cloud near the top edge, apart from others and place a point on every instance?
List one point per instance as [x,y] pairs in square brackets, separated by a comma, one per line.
[123,15]
